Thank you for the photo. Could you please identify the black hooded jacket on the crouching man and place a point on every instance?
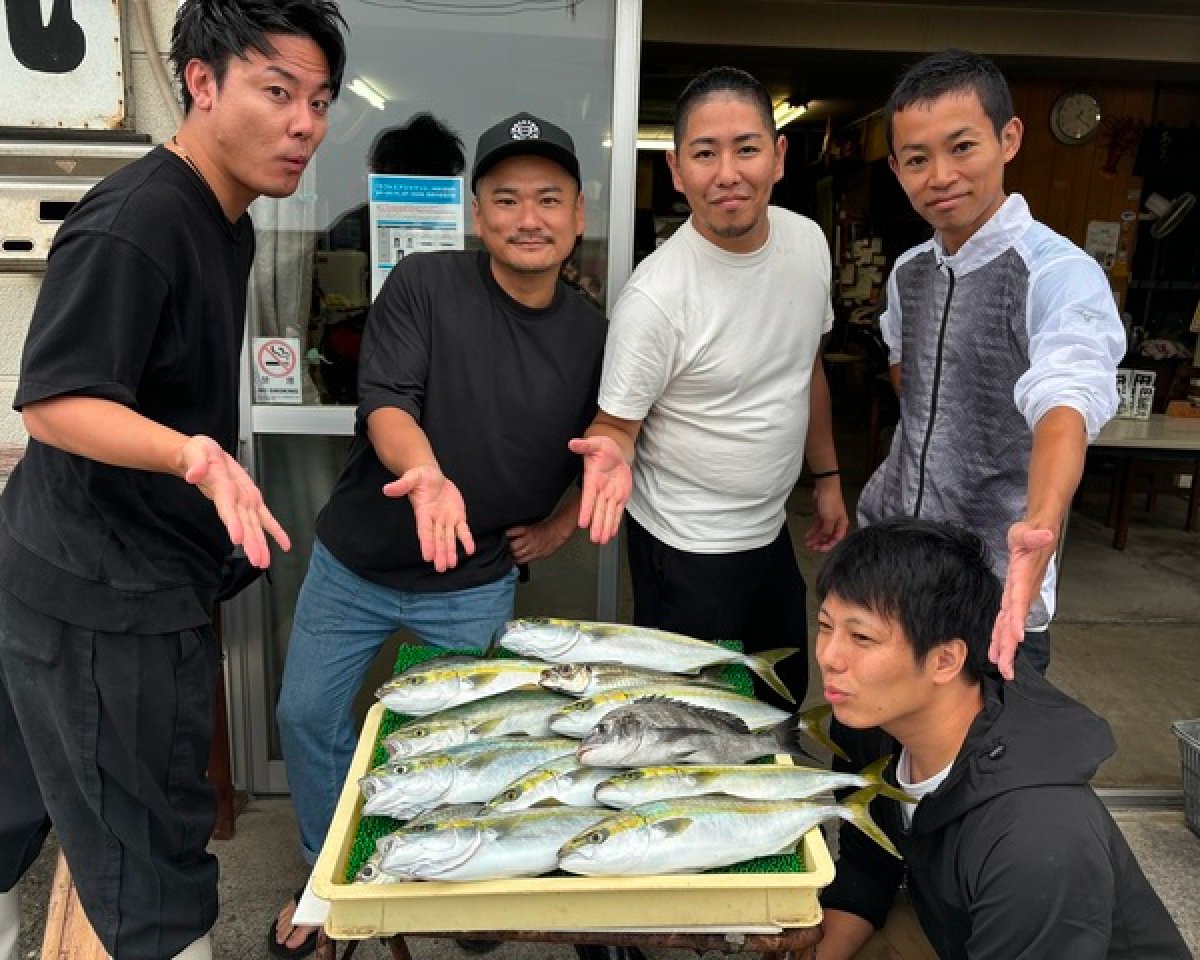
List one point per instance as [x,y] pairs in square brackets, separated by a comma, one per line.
[1013,856]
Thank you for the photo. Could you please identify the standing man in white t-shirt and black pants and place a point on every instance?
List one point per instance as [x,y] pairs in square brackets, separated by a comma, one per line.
[713,394]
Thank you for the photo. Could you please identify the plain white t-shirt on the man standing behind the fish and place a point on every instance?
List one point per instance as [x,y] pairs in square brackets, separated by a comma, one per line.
[713,352]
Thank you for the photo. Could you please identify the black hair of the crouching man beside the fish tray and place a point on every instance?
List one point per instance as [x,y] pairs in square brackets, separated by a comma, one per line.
[933,579]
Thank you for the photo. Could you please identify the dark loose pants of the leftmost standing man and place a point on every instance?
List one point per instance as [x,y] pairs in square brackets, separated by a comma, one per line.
[109,739]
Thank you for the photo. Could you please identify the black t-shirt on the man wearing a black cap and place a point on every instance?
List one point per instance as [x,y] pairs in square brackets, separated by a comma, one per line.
[497,387]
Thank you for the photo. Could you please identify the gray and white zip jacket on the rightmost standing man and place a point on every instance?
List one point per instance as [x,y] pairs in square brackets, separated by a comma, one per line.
[1016,323]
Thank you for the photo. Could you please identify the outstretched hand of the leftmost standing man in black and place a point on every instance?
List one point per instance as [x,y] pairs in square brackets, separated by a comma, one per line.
[239,503]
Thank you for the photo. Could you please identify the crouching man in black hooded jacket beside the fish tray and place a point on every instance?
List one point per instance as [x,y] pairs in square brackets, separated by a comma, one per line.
[1009,853]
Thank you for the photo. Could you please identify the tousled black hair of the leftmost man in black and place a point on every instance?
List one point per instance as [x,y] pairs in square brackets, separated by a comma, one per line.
[215,31]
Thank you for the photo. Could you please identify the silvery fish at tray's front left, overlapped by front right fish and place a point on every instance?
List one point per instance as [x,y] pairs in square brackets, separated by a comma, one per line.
[491,847]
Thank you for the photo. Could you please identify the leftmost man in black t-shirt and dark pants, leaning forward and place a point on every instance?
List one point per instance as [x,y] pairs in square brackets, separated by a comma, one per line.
[117,526]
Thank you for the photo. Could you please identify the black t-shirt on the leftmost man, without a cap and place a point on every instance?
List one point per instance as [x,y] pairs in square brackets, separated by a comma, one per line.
[143,304]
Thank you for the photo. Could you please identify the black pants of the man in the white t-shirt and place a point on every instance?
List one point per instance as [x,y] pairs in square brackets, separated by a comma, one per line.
[755,597]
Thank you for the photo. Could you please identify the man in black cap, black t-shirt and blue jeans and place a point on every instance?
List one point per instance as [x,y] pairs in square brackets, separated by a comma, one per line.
[477,369]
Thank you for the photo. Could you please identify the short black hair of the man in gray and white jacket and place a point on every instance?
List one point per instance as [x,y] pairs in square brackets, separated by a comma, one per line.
[952,71]
